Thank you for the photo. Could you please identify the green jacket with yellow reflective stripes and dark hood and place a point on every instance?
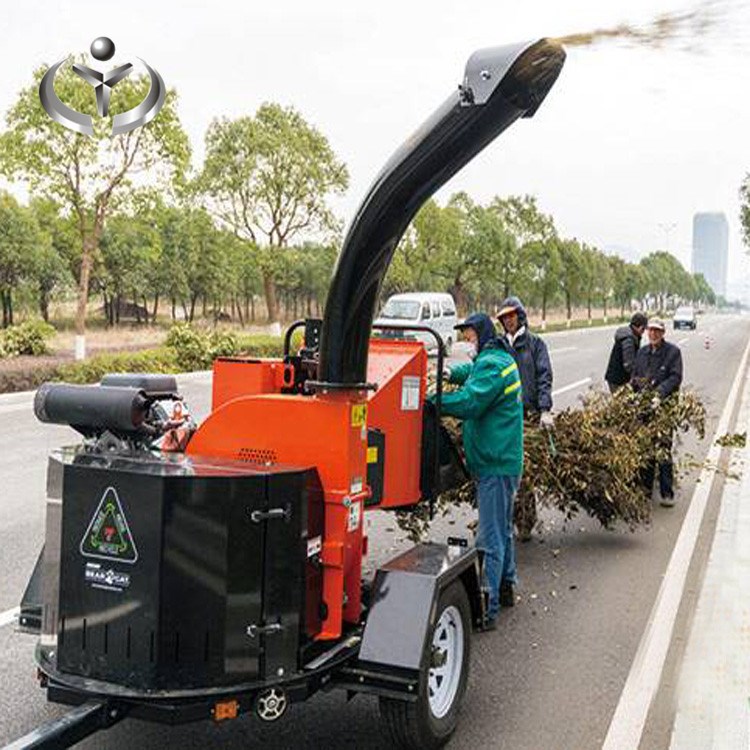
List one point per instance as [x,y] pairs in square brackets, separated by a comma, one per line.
[490,405]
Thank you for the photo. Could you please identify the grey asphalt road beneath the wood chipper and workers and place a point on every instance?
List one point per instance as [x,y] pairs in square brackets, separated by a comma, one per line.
[548,679]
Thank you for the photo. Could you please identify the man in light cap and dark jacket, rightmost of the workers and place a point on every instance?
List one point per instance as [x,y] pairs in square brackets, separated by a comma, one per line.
[658,370]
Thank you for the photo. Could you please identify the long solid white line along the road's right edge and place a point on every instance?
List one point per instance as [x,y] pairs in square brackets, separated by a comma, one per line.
[629,719]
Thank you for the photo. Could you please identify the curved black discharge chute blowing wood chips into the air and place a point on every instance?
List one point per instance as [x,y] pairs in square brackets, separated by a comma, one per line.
[500,85]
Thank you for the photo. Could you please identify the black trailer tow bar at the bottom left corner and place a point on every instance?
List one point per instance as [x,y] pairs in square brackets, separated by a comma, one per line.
[76,725]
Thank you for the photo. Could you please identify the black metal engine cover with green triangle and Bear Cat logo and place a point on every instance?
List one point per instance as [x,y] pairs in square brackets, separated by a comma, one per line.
[181,573]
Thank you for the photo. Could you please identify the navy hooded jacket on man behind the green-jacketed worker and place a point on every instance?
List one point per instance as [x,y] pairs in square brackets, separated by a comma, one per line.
[531,354]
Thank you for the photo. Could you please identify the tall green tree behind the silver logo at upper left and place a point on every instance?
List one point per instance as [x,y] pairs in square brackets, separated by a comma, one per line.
[89,175]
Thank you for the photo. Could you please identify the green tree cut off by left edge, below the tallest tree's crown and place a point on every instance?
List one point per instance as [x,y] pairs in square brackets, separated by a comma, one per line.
[21,245]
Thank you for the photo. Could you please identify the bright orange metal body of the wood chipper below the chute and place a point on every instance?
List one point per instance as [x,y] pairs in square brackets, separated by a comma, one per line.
[252,420]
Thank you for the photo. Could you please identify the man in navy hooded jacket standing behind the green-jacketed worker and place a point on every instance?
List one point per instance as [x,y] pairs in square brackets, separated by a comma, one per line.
[531,355]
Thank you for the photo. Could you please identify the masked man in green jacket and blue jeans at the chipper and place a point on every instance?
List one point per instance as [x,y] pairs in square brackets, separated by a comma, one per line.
[489,403]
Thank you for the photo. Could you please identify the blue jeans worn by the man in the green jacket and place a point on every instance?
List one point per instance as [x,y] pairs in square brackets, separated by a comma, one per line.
[495,496]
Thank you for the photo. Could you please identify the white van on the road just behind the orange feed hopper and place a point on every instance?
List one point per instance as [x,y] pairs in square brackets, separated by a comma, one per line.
[433,309]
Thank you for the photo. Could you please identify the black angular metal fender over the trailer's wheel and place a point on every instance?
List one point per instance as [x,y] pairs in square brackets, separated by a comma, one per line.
[404,597]
